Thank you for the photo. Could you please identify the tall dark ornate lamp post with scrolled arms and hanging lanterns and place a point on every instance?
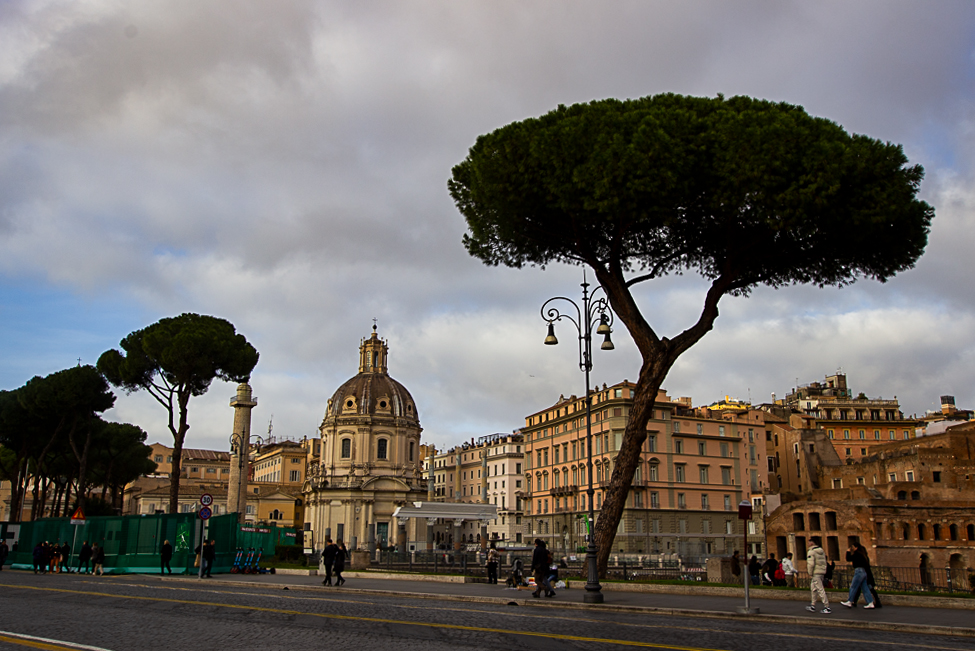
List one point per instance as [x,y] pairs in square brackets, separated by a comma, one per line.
[593,311]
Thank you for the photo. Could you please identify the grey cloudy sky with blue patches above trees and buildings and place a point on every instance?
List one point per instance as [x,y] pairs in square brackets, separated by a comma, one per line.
[284,165]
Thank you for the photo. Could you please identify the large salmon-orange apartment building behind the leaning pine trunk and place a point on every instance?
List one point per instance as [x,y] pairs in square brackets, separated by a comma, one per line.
[695,467]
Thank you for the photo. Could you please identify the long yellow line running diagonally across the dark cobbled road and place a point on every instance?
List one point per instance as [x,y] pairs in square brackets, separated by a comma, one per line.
[376,620]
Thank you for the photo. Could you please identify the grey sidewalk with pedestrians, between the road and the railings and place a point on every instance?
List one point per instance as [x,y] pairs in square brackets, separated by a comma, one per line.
[939,621]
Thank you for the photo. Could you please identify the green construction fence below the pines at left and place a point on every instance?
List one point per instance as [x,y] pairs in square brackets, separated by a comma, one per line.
[132,542]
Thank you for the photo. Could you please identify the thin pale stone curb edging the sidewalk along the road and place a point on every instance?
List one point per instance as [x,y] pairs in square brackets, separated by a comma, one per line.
[925,629]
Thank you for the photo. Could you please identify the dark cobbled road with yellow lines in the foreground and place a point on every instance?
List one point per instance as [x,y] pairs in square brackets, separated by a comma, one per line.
[134,613]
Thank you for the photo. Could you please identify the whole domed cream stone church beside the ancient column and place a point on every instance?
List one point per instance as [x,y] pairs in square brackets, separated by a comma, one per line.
[369,461]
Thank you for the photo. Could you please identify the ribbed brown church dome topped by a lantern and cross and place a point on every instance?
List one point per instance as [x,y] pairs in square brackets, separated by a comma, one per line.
[372,392]
